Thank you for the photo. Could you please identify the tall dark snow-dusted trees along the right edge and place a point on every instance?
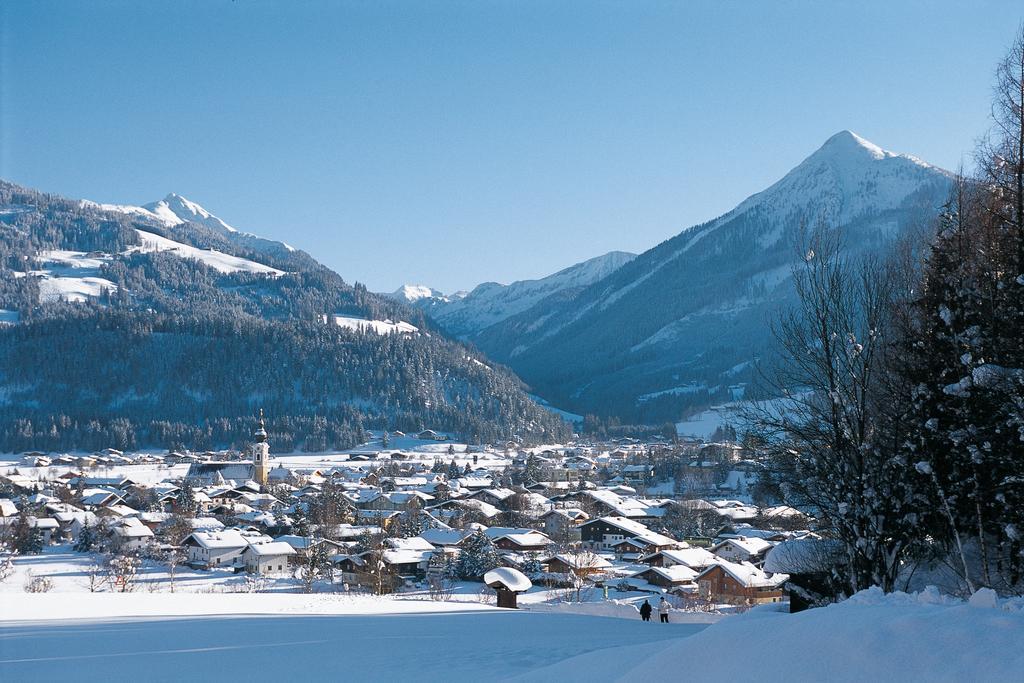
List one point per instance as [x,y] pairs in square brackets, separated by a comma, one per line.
[911,446]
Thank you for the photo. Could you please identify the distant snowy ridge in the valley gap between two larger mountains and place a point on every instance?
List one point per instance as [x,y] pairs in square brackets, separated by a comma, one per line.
[465,316]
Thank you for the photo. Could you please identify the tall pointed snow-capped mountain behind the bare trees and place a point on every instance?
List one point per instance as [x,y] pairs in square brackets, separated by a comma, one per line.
[679,326]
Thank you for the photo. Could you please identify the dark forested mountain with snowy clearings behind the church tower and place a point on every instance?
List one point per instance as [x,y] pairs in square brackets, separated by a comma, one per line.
[163,325]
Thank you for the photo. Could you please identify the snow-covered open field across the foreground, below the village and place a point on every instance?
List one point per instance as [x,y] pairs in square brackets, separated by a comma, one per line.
[206,630]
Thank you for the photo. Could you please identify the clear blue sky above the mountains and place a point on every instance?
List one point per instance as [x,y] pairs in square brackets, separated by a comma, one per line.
[450,144]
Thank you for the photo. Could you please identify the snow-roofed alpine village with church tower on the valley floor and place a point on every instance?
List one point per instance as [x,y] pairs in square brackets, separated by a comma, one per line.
[621,523]
